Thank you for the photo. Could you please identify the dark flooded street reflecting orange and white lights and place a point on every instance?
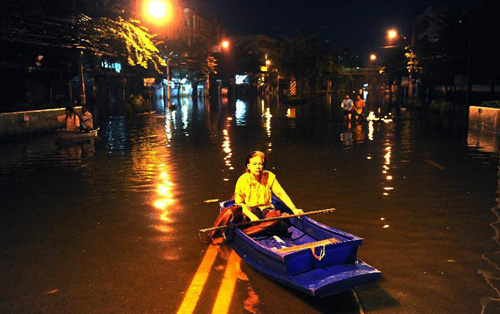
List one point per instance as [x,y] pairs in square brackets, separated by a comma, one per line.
[112,225]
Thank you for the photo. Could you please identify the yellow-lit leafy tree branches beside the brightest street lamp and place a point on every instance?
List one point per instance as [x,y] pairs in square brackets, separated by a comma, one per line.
[125,39]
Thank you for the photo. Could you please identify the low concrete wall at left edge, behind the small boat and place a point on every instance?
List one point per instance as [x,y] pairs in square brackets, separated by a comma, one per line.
[27,122]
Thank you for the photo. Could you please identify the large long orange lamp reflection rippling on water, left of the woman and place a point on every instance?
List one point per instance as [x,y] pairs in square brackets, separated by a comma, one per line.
[153,174]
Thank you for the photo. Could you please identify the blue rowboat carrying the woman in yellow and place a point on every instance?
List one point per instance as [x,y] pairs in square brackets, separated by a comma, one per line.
[312,258]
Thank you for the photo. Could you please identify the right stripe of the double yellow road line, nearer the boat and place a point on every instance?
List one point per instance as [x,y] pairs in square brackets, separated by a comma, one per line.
[225,294]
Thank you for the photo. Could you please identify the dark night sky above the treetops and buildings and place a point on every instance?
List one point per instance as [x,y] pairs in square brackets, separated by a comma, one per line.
[359,25]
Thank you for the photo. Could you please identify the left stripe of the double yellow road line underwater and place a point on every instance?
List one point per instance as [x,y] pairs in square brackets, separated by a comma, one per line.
[193,294]
